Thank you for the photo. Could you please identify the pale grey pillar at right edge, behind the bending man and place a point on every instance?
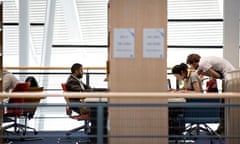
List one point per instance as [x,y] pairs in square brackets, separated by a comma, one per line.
[231,31]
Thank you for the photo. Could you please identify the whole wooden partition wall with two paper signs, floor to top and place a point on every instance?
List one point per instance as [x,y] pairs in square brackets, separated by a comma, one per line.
[137,63]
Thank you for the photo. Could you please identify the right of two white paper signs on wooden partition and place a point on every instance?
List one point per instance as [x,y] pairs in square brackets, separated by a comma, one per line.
[153,43]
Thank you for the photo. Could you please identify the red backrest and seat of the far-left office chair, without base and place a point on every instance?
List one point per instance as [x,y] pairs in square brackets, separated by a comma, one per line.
[20,87]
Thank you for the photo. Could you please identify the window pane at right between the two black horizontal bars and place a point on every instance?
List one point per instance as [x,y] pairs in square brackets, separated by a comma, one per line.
[195,33]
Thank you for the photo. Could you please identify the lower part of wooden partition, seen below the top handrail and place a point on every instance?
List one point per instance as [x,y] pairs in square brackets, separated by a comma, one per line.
[146,122]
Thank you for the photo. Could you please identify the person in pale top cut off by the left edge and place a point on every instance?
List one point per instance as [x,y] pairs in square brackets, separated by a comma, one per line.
[9,81]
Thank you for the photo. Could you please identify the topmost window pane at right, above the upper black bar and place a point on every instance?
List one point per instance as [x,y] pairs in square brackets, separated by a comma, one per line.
[195,9]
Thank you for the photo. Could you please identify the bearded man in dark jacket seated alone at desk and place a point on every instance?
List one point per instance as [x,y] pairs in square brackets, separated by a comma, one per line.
[75,84]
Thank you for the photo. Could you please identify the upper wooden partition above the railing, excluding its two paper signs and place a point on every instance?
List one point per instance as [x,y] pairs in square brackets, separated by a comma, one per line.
[137,74]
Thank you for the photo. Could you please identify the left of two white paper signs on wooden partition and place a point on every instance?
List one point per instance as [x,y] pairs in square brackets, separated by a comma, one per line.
[123,43]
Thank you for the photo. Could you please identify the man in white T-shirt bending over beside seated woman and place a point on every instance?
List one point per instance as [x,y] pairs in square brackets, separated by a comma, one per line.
[211,66]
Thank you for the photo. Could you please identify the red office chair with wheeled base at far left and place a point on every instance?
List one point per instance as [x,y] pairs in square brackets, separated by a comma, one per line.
[13,113]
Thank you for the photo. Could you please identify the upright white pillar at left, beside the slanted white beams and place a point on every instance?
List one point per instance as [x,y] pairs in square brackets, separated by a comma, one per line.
[24,31]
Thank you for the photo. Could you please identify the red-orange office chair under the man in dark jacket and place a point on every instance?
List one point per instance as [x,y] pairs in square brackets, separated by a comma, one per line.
[80,117]
